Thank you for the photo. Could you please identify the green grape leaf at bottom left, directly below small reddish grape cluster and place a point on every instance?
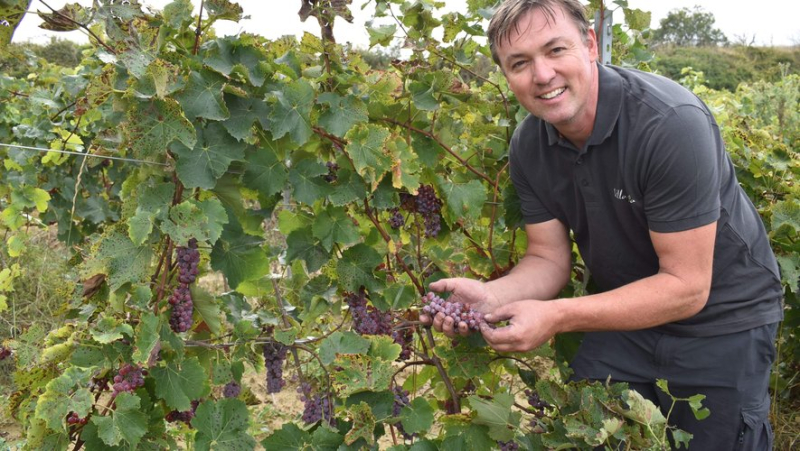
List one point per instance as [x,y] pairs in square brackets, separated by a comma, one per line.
[127,422]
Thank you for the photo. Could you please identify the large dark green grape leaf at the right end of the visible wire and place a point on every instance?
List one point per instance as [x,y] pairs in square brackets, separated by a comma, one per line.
[201,166]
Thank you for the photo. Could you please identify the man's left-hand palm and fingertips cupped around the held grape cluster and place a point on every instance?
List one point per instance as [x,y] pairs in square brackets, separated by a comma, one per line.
[466,291]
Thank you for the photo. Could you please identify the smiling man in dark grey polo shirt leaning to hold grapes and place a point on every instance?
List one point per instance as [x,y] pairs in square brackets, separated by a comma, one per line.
[633,165]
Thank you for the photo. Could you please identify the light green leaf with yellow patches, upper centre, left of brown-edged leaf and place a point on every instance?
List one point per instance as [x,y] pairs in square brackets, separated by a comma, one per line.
[367,149]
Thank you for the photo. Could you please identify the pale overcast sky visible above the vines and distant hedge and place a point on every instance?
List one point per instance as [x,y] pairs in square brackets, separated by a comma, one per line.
[769,21]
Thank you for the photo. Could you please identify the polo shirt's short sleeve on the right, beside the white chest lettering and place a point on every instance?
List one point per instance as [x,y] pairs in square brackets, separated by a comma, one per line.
[682,174]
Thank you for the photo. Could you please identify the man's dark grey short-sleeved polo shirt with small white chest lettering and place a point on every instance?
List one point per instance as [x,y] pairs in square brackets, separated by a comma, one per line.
[655,161]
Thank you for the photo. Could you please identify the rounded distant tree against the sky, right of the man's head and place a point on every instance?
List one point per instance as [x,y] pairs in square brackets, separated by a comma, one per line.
[689,28]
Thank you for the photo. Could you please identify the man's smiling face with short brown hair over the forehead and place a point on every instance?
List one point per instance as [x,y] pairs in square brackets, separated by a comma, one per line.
[551,70]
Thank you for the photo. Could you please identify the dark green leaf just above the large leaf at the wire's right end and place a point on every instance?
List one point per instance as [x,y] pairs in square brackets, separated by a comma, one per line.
[202,97]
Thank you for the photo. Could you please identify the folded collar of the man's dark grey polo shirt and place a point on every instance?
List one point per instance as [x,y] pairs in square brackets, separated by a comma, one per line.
[609,105]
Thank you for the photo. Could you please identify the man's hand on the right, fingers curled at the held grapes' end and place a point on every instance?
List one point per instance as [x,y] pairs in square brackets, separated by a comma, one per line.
[530,324]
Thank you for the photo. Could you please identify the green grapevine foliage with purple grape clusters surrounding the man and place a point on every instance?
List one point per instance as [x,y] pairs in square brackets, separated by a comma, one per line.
[327,195]
